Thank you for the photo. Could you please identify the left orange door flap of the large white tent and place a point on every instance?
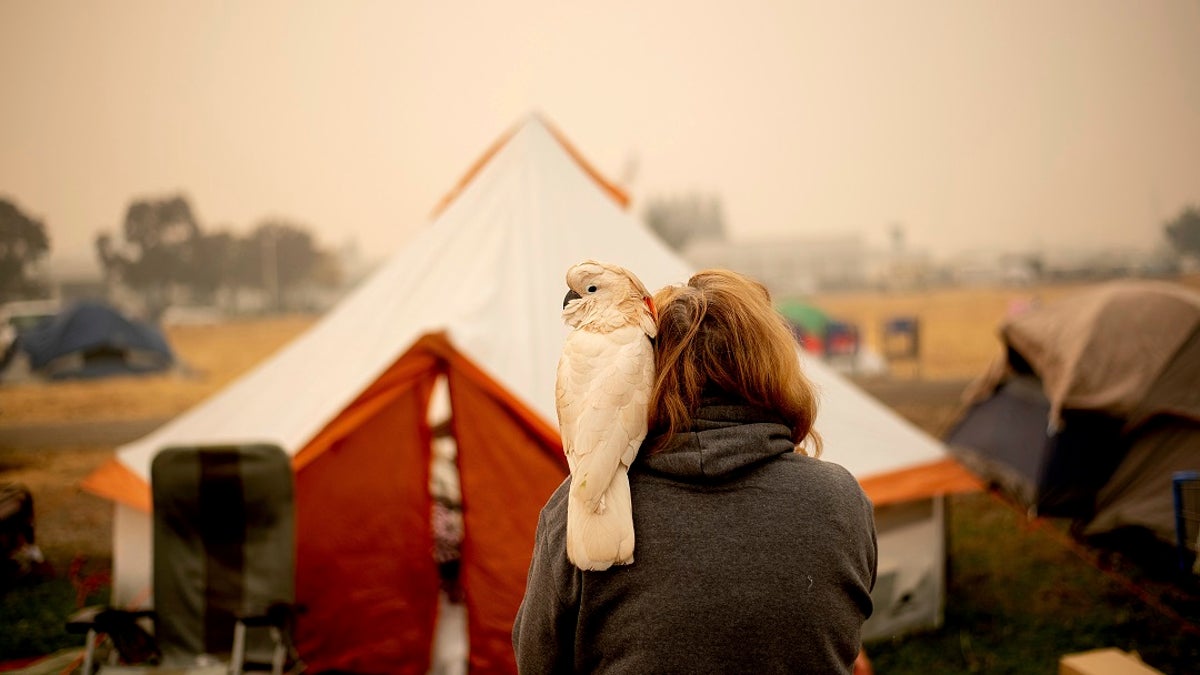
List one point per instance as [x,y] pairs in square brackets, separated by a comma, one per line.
[365,570]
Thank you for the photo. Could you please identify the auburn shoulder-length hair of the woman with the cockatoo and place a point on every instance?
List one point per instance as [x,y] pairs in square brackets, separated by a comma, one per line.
[722,332]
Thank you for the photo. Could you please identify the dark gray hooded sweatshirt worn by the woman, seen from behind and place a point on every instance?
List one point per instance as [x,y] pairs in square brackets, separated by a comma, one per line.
[748,559]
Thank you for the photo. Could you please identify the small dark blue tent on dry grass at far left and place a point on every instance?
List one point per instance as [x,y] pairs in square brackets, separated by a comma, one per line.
[91,339]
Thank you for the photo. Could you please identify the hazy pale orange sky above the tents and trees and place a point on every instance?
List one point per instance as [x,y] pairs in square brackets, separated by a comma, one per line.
[1000,126]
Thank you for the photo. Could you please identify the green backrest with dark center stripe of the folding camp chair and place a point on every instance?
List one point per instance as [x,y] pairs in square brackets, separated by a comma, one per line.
[224,545]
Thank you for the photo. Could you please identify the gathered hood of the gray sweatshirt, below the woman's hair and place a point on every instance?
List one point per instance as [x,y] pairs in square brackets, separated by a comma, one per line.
[724,439]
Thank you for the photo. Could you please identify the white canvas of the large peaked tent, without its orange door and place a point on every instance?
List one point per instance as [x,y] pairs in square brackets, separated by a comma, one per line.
[488,276]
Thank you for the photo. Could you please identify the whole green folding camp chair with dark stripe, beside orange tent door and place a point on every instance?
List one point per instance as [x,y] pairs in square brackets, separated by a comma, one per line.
[224,570]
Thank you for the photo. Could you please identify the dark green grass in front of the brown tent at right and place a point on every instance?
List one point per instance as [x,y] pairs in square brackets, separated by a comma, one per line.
[1021,596]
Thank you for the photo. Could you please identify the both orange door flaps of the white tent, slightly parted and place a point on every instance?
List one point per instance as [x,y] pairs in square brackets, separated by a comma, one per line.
[365,560]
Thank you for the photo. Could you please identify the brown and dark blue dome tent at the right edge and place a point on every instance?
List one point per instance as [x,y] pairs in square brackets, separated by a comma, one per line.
[1094,407]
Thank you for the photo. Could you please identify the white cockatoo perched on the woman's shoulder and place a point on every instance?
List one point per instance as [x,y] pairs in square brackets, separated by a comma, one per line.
[605,375]
